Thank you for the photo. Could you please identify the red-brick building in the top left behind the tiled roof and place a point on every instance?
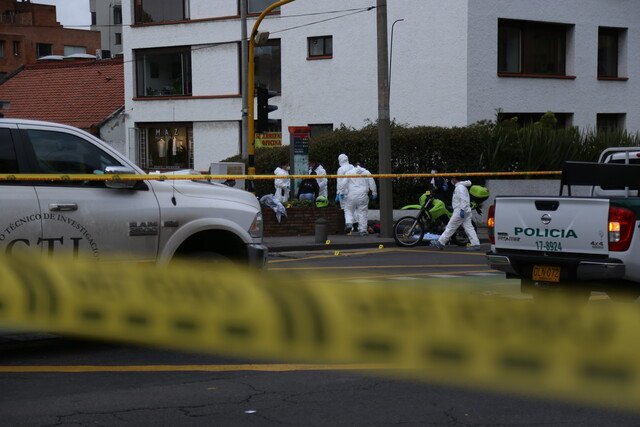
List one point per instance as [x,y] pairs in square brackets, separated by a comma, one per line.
[29,31]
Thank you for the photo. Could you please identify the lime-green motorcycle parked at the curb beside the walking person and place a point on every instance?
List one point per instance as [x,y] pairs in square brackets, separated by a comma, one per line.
[433,217]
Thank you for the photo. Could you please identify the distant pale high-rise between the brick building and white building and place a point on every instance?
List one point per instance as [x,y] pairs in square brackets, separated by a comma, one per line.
[106,17]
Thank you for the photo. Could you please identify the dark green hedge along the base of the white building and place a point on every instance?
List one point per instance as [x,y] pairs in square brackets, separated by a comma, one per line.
[484,146]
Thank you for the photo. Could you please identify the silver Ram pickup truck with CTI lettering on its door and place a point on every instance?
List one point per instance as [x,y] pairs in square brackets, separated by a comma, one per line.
[134,221]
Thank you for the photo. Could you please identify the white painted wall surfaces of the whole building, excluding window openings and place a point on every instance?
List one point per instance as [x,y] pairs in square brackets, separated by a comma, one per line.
[444,68]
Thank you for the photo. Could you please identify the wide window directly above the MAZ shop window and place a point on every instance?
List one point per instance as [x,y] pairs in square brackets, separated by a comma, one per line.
[163,72]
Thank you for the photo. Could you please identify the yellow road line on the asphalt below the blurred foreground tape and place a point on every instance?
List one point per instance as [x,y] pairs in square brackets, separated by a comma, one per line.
[189,368]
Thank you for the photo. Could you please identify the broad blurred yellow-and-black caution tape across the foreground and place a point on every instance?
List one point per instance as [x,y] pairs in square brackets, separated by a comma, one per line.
[579,352]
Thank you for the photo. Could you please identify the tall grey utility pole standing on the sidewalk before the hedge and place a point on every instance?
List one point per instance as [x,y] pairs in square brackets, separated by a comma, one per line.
[384,123]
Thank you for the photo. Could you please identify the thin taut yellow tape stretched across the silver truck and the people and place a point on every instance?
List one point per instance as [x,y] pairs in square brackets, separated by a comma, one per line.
[162,177]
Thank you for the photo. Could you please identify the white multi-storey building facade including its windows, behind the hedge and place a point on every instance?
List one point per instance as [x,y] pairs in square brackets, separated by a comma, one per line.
[454,62]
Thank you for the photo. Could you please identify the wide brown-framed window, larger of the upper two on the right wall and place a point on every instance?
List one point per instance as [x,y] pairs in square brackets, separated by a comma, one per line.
[529,32]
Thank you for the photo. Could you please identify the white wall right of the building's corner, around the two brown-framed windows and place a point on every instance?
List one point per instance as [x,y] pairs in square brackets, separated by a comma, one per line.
[586,95]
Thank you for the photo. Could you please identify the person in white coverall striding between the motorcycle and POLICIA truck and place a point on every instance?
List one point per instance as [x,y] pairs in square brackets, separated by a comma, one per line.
[461,215]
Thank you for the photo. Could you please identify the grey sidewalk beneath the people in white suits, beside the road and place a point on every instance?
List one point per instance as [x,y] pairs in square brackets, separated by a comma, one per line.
[340,241]
